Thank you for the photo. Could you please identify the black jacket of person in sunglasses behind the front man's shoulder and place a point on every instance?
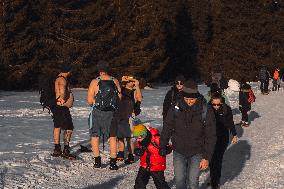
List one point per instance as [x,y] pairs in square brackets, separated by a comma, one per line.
[172,97]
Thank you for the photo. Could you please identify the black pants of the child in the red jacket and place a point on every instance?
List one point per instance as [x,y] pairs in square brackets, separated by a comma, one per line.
[143,177]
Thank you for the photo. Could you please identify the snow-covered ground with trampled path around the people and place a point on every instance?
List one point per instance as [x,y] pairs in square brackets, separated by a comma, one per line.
[256,162]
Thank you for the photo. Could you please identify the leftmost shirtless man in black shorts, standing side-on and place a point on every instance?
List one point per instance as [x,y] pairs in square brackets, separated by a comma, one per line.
[61,115]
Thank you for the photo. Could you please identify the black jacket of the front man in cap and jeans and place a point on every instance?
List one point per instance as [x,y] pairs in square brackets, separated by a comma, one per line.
[188,133]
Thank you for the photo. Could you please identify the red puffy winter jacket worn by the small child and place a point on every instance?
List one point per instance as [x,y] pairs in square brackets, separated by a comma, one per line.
[157,162]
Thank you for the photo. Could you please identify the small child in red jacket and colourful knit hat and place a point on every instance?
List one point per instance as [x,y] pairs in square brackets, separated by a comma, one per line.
[151,162]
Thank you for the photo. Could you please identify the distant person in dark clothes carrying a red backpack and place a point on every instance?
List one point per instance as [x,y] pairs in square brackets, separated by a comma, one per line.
[246,98]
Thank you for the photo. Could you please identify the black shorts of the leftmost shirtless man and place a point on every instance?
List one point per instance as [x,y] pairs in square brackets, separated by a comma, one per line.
[62,118]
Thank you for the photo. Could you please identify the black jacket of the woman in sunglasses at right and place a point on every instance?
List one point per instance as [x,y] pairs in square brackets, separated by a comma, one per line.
[224,122]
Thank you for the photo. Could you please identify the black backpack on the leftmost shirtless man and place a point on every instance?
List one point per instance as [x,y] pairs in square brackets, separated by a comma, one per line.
[47,91]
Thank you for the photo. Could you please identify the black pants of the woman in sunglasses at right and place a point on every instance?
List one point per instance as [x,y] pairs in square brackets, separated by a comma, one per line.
[217,158]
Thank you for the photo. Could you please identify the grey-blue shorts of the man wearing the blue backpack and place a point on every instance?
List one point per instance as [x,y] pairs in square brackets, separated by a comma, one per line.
[100,123]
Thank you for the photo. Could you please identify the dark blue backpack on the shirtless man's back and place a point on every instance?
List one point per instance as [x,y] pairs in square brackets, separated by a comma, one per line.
[107,96]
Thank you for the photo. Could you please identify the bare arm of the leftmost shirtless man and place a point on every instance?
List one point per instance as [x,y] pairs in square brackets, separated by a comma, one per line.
[60,87]
